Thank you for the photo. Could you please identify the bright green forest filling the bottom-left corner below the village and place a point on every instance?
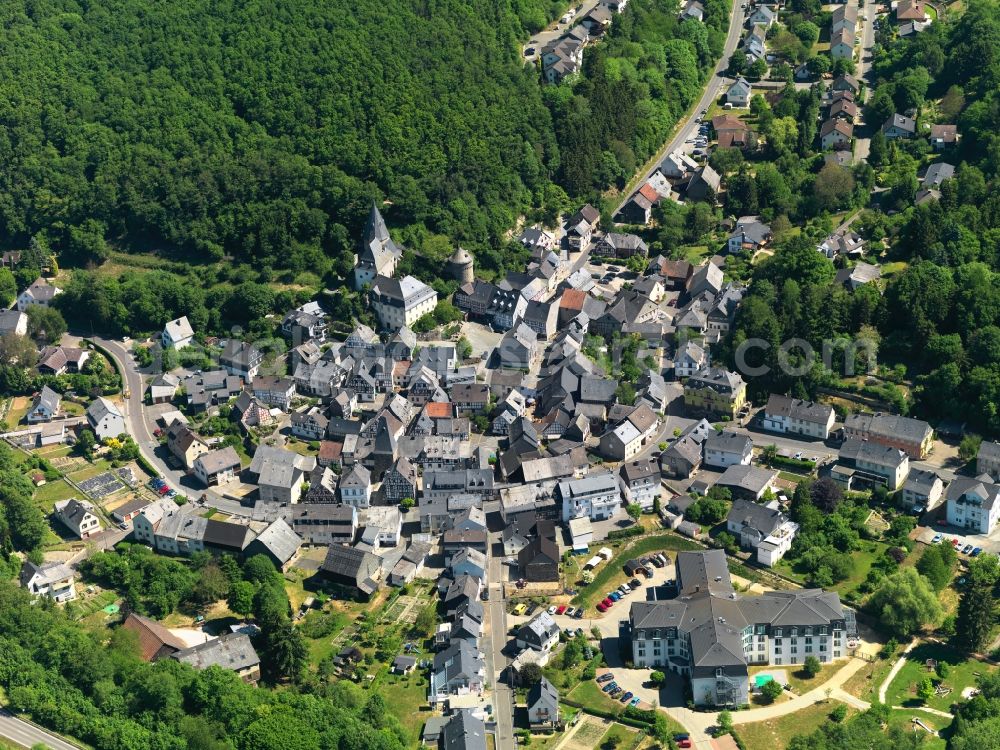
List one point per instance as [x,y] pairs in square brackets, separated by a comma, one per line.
[83,684]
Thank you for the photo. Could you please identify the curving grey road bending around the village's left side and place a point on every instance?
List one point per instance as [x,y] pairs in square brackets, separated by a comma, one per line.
[138,424]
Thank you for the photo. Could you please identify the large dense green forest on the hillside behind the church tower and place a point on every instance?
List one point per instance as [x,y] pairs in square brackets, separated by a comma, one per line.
[263,131]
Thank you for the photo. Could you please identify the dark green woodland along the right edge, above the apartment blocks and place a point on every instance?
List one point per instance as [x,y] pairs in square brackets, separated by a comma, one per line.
[938,321]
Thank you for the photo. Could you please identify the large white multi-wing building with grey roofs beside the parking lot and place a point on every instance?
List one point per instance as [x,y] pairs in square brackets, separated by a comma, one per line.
[710,634]
